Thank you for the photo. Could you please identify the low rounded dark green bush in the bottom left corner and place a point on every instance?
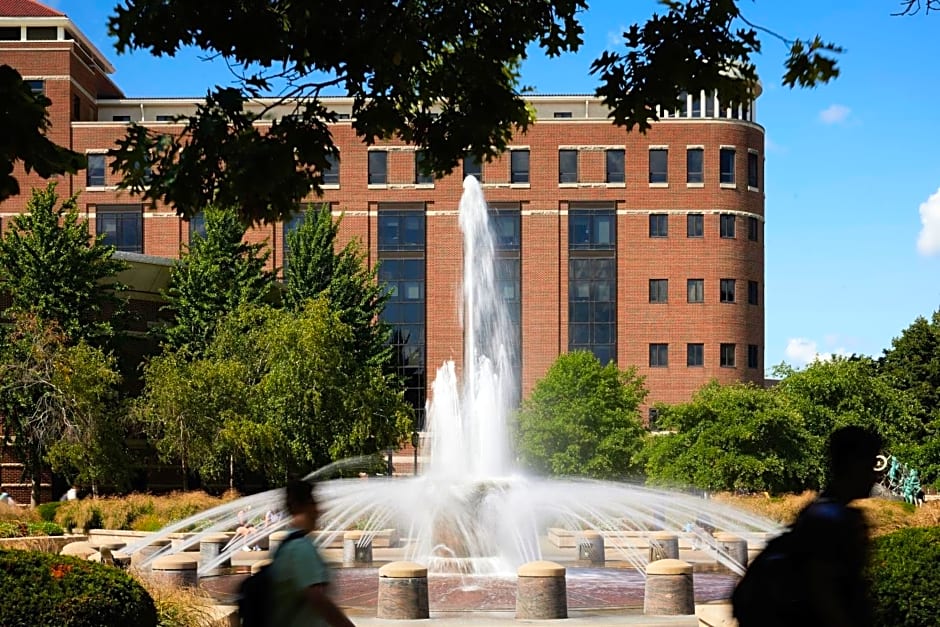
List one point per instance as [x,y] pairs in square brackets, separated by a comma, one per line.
[44,589]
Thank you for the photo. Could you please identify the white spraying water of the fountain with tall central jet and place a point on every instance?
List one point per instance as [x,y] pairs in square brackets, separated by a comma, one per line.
[470,511]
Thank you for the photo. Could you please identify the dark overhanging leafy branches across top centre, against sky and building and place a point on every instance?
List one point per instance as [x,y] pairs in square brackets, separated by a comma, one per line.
[443,76]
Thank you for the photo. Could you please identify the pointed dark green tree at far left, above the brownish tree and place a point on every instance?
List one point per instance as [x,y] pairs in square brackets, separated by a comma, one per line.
[52,267]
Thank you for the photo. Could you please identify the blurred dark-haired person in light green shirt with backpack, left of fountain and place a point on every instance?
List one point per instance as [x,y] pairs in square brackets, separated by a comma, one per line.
[299,577]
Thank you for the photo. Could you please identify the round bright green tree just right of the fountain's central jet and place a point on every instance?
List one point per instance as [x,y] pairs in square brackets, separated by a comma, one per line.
[582,419]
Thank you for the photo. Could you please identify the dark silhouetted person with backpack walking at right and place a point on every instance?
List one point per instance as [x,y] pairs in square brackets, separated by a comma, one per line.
[811,576]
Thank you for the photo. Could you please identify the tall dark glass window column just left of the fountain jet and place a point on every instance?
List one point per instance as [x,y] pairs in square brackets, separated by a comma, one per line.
[402,271]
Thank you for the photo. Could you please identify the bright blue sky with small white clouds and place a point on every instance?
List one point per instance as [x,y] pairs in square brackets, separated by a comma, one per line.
[852,174]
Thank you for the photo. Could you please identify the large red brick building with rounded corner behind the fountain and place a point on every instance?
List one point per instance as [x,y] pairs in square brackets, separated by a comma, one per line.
[647,249]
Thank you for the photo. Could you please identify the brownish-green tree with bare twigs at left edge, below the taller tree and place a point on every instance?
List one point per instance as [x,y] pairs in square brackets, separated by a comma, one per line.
[55,401]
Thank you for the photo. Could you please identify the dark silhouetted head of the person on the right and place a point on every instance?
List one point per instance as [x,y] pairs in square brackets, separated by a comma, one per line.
[852,452]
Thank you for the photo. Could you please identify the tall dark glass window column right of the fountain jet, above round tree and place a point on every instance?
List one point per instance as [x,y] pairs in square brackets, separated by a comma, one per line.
[592,283]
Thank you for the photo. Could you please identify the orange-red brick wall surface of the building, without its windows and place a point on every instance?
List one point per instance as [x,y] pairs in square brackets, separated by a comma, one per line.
[544,205]
